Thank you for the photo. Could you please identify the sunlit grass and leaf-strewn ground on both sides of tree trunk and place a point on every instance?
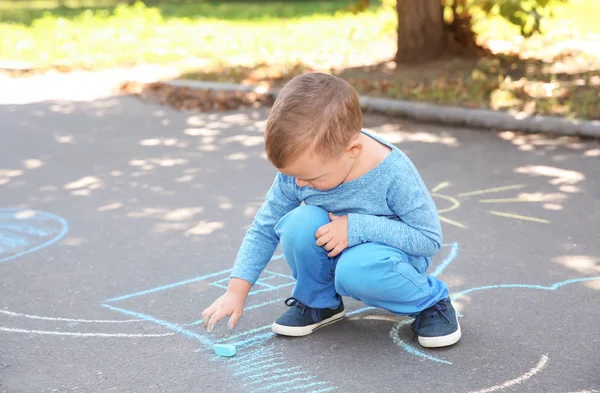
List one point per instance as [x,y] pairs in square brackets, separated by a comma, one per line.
[271,41]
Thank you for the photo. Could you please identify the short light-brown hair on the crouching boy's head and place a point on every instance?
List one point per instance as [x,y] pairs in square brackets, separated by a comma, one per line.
[313,110]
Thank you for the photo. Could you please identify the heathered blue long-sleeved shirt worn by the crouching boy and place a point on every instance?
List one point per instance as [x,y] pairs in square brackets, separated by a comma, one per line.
[389,204]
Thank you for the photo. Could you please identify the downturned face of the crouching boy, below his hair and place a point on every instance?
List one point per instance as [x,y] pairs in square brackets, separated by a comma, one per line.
[312,170]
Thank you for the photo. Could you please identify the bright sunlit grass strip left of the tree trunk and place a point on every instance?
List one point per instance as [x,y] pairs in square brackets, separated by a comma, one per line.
[232,33]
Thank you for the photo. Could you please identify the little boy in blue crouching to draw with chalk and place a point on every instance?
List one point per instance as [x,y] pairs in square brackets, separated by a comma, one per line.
[352,215]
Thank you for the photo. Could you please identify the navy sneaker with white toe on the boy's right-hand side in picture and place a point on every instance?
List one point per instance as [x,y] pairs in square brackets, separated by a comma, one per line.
[437,326]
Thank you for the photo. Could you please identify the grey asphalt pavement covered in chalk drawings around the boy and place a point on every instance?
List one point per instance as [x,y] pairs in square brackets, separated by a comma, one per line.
[119,221]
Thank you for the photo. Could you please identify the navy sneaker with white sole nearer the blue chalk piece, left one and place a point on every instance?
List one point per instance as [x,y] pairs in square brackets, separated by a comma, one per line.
[301,320]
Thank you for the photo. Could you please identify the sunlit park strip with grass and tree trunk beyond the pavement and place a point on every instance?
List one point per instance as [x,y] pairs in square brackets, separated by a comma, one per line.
[533,56]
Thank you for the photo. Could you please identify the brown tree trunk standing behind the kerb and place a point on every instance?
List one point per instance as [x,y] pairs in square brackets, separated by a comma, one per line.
[421,34]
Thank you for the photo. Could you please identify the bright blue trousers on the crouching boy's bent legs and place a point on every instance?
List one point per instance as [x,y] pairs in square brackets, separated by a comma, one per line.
[375,274]
